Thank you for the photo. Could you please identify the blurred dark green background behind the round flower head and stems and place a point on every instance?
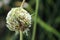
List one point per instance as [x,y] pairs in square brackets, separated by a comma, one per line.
[48,19]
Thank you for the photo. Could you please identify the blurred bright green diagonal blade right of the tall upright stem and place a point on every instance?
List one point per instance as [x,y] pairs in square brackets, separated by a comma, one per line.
[48,27]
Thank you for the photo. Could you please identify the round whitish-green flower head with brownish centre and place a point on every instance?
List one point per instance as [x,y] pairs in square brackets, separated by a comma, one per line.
[18,19]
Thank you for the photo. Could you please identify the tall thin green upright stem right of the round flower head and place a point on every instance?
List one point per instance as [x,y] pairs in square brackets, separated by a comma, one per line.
[35,20]
